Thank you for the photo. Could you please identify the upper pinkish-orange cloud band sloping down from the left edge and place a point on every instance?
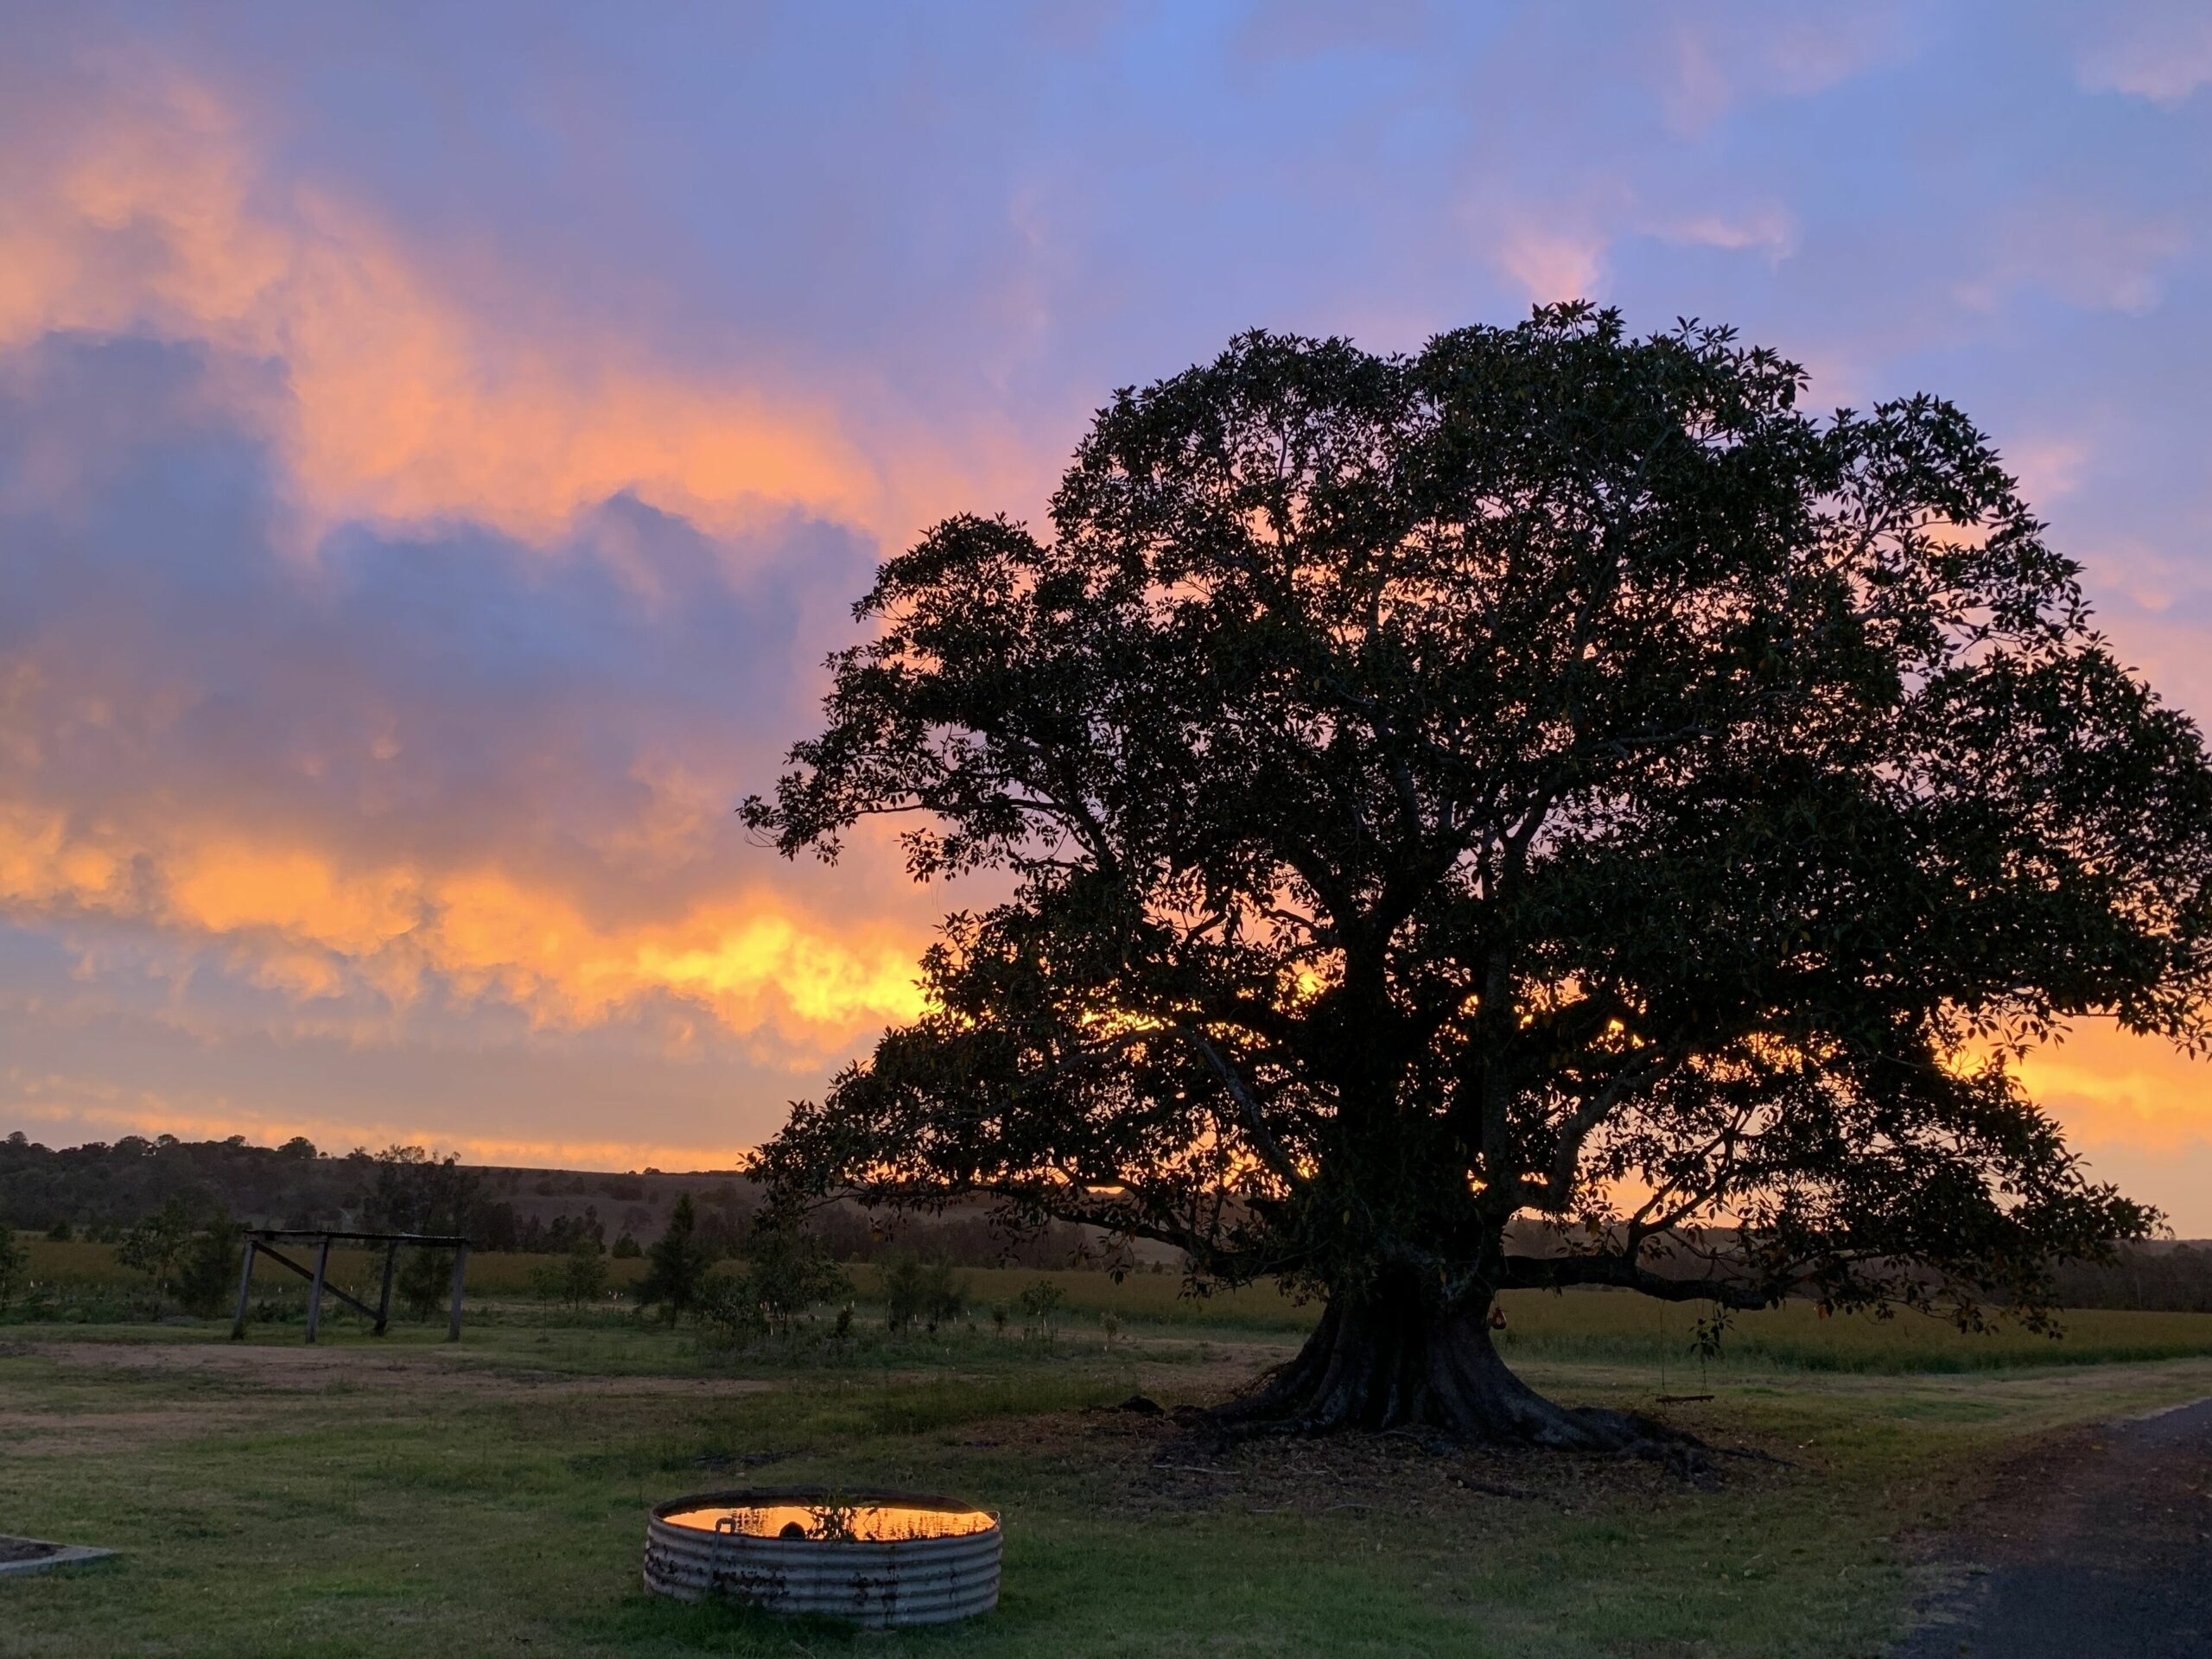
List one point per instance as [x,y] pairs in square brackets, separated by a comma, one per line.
[404,404]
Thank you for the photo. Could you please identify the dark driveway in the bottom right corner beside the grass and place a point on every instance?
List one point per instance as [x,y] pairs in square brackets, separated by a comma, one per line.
[2089,1545]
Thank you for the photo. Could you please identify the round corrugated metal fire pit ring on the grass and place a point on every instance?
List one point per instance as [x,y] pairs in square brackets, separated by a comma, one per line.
[866,1556]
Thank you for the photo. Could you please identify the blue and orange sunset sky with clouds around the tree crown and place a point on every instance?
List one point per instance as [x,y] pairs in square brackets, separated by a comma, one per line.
[439,448]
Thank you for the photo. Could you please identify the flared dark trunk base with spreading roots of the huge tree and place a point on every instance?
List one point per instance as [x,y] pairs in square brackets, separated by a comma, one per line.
[1397,1359]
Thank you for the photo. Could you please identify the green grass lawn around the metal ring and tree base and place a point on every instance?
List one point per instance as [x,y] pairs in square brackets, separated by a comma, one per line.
[415,1499]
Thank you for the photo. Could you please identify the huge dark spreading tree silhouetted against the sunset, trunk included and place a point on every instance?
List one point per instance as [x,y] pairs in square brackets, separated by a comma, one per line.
[1550,780]
